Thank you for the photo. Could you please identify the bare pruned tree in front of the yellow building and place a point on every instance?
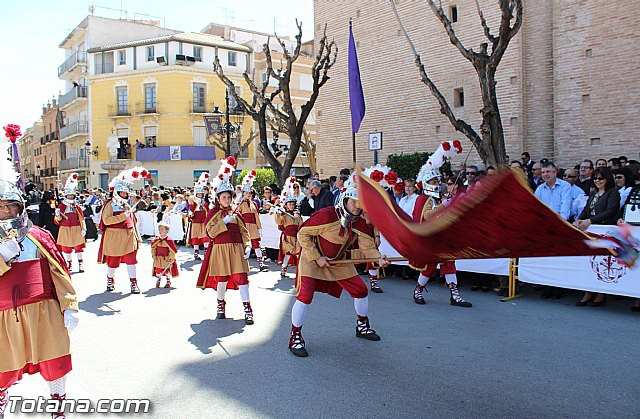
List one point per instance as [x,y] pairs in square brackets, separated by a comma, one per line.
[285,119]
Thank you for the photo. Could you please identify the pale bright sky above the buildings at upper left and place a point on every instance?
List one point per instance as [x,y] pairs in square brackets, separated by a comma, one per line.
[31,31]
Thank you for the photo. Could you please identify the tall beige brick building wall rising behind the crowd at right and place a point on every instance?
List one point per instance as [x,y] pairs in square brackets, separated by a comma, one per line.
[540,81]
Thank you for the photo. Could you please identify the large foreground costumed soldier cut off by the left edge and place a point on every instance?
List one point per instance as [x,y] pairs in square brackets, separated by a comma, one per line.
[38,305]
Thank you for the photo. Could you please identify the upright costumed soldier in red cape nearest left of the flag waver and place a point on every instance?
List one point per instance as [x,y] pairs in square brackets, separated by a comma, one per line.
[225,263]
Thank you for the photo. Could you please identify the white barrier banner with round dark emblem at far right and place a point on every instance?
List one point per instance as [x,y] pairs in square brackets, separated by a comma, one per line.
[588,273]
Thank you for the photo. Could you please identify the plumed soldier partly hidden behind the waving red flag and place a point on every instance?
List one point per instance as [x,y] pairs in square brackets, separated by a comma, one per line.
[429,181]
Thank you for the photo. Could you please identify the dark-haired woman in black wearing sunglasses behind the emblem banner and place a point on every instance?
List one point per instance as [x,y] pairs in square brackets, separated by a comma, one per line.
[602,207]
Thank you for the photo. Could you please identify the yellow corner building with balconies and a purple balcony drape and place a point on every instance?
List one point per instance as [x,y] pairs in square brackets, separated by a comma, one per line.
[148,99]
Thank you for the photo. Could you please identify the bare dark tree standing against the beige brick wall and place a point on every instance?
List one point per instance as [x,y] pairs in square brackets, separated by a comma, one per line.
[490,142]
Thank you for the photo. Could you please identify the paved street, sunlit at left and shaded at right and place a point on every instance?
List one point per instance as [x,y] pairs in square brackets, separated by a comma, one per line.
[526,359]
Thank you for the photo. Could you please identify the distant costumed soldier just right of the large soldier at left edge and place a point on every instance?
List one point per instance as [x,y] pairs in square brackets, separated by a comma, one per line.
[72,230]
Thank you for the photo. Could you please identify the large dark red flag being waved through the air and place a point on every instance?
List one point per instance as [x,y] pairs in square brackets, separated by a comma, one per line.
[500,219]
